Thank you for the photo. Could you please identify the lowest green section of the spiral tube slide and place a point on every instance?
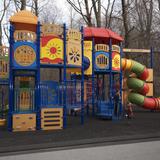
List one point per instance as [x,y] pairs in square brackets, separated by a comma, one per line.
[136,98]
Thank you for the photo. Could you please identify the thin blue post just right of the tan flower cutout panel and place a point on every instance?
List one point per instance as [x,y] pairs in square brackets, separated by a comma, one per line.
[82,78]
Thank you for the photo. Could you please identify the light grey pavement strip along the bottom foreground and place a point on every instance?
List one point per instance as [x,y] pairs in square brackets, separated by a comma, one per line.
[134,151]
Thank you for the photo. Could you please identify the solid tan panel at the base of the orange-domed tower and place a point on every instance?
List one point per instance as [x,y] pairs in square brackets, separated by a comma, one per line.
[24,122]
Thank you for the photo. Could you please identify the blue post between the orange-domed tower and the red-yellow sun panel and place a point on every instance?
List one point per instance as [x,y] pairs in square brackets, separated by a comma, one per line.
[38,94]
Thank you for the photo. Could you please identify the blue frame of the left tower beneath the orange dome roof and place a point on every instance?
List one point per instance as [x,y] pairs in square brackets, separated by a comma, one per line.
[13,67]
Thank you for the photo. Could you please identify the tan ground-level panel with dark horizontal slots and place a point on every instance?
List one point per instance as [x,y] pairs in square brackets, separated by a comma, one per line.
[51,118]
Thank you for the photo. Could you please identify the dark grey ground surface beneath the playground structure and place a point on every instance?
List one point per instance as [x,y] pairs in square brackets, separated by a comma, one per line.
[145,125]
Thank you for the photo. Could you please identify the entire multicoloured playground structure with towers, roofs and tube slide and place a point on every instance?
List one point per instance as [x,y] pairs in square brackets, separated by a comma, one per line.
[90,56]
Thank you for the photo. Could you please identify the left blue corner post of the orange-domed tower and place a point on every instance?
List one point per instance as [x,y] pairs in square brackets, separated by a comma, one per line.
[11,93]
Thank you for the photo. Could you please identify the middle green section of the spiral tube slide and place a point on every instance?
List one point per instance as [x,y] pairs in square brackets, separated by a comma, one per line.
[135,84]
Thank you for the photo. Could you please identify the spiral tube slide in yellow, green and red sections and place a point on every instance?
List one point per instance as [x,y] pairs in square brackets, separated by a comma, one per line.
[138,85]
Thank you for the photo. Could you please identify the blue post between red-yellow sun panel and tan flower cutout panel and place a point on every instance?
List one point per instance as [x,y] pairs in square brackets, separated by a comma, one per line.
[64,78]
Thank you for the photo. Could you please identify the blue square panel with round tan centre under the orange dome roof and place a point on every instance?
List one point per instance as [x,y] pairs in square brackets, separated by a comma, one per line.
[24,54]
